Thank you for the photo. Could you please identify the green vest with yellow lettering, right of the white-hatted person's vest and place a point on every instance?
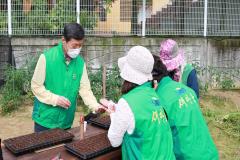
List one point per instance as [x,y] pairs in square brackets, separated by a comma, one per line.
[191,137]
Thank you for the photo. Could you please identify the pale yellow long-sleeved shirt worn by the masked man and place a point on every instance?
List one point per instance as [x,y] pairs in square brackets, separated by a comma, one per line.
[46,96]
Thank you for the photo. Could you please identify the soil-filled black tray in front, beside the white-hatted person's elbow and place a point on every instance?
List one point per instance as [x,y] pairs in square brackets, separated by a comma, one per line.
[90,147]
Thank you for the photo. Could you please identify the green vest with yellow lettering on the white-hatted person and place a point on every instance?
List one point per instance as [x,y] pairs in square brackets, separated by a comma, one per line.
[151,139]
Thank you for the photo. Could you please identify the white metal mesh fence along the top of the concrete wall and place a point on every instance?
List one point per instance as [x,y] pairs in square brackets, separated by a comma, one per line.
[121,17]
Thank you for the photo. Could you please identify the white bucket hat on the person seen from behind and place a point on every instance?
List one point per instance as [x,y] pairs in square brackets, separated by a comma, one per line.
[137,65]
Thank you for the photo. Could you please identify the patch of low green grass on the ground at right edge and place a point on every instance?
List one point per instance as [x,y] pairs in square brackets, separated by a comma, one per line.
[221,113]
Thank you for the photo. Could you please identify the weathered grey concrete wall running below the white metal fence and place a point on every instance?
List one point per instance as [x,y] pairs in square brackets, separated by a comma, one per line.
[97,51]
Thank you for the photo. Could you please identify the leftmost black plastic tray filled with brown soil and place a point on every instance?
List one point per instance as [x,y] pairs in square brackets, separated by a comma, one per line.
[31,142]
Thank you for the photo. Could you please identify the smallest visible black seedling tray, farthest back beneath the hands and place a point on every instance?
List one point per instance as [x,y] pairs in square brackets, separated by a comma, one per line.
[102,121]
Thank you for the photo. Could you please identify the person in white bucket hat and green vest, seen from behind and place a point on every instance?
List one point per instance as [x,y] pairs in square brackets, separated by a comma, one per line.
[138,120]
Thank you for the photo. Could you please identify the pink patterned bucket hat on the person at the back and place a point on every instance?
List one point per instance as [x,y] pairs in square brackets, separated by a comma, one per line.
[171,55]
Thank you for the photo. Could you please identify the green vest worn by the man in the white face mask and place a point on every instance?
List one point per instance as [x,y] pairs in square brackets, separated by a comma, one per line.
[63,80]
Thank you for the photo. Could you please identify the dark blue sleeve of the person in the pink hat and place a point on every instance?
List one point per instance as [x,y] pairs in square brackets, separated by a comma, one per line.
[192,82]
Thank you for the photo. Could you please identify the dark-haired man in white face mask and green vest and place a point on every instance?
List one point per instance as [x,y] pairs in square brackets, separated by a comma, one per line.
[60,75]
